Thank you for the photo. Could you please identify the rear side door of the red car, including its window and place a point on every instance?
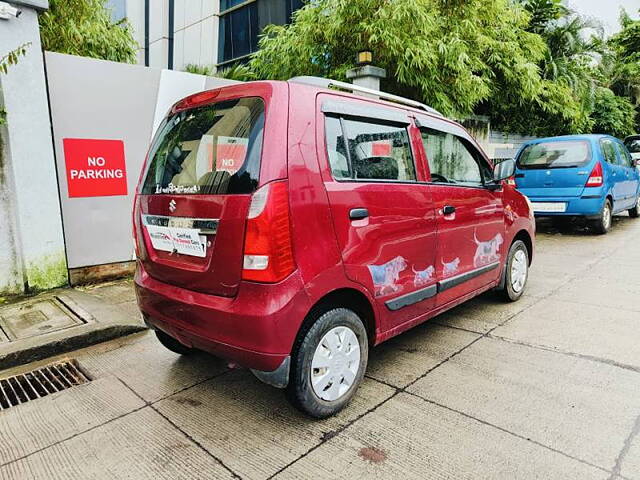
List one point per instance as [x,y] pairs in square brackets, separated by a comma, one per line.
[383,217]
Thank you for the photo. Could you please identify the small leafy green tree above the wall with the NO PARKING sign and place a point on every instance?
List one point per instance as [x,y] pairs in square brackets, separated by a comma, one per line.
[85,28]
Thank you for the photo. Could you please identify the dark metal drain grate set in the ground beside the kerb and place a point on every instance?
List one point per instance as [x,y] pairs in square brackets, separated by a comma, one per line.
[39,383]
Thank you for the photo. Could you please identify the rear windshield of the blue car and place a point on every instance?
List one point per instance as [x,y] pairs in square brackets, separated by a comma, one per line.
[560,154]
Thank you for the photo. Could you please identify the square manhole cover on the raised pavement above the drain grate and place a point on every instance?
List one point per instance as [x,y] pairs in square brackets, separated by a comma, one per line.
[36,318]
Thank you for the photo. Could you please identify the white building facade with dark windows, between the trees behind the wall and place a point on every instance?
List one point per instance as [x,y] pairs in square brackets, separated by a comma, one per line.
[175,33]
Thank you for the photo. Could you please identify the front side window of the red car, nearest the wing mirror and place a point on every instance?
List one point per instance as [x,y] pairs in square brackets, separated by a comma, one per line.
[451,160]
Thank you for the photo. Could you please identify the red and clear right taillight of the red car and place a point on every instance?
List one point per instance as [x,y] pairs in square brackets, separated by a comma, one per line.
[268,253]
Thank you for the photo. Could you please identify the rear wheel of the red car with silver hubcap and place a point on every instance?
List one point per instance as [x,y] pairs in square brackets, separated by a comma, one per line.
[328,363]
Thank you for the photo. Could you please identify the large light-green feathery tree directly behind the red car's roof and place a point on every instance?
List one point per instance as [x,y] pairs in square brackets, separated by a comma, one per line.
[451,54]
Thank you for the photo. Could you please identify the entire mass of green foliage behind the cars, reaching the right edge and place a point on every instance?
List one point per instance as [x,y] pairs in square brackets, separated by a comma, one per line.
[531,65]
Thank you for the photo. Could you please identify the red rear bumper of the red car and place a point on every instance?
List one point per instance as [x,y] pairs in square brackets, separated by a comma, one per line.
[255,329]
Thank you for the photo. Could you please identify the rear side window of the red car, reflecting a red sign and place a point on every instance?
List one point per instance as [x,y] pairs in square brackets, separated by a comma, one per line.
[365,150]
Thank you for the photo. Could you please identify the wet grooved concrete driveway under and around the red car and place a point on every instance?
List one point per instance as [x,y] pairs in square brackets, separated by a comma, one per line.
[548,387]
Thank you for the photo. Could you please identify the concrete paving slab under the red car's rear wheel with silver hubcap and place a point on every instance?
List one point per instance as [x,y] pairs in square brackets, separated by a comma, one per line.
[251,427]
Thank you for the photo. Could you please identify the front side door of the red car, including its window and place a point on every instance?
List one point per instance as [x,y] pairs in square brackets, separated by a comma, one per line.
[469,213]
